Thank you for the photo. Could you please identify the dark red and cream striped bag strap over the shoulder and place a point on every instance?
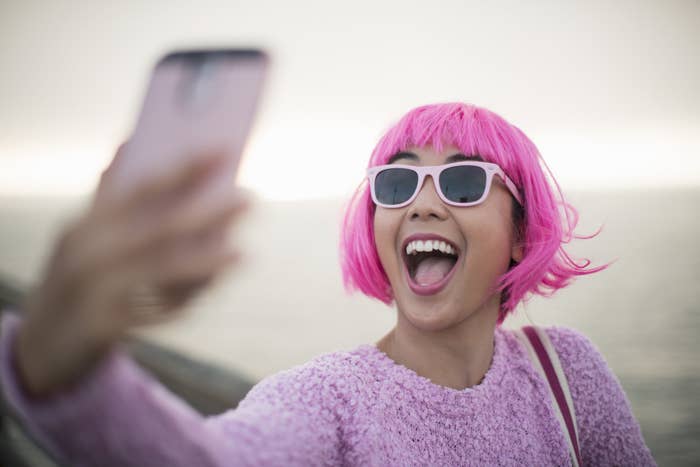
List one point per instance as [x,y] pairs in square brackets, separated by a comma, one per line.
[546,362]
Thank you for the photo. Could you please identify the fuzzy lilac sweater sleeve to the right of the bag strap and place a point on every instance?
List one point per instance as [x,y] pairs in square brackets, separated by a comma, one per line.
[608,432]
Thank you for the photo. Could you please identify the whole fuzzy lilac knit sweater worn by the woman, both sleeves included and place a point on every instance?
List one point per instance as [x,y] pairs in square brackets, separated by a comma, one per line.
[355,407]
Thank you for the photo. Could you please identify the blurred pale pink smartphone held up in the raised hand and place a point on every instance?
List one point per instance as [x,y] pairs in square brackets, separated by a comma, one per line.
[197,102]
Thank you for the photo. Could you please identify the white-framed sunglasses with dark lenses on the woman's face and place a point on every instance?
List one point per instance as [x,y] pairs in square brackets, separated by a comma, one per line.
[464,183]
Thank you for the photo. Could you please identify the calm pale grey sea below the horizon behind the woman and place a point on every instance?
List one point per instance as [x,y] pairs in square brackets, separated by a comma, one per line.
[285,303]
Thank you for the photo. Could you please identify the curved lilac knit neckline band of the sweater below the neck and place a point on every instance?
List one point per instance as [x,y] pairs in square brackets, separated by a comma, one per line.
[425,389]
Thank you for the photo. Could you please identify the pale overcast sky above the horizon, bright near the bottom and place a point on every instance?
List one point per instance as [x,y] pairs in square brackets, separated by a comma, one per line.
[608,91]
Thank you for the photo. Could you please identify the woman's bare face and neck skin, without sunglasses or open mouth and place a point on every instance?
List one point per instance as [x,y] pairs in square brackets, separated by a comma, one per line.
[447,337]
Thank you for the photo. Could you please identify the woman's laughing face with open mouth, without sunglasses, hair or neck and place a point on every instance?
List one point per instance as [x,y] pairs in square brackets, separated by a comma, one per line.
[442,288]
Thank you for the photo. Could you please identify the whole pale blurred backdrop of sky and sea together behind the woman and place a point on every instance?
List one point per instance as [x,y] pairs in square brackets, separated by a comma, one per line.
[608,91]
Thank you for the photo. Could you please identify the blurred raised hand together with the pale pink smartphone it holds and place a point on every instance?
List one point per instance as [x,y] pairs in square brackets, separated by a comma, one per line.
[162,190]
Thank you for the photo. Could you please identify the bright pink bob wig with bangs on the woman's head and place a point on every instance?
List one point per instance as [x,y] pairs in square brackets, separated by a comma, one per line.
[544,224]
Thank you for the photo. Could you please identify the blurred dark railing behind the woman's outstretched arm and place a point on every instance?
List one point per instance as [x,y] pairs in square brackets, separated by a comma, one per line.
[207,388]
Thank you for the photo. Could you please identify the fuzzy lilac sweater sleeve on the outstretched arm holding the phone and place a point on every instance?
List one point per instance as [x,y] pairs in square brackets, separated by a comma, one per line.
[121,416]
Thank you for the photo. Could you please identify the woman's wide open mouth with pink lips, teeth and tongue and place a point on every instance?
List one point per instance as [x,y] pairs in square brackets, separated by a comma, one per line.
[430,264]
